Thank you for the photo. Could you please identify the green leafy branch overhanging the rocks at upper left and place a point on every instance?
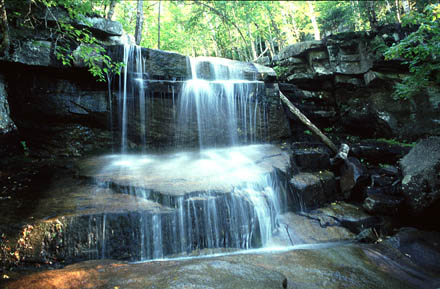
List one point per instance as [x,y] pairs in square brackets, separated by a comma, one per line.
[72,43]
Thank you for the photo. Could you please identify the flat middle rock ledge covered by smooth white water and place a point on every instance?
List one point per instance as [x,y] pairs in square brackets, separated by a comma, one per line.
[212,170]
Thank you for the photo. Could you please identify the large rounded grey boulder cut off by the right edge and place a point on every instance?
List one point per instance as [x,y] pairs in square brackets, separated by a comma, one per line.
[421,175]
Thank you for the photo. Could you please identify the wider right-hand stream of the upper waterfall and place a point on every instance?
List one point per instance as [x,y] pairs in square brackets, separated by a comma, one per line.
[222,104]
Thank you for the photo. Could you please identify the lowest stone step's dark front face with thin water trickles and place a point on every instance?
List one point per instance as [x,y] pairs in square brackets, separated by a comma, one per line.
[94,223]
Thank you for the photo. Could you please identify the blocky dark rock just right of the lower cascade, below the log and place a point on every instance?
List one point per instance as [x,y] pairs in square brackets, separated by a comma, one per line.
[313,189]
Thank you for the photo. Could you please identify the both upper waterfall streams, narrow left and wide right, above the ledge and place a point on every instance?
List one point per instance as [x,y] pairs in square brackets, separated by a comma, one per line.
[218,106]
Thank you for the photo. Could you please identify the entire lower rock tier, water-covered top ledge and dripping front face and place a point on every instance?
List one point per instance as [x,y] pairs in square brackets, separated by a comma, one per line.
[175,205]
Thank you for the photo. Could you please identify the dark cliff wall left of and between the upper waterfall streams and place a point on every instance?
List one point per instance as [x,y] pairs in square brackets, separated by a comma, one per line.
[59,111]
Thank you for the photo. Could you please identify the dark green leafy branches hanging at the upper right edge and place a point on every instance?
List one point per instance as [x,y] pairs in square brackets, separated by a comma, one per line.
[420,50]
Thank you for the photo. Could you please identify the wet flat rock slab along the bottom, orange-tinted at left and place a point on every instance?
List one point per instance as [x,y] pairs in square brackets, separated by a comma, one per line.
[348,266]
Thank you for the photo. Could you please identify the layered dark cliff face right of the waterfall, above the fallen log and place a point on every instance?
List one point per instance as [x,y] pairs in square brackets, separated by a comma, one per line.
[344,83]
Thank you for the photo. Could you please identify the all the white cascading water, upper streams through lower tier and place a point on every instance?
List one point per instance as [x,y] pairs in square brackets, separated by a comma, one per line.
[205,199]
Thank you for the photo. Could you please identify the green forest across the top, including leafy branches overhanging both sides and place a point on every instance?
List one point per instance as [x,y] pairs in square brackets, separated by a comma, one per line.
[242,30]
